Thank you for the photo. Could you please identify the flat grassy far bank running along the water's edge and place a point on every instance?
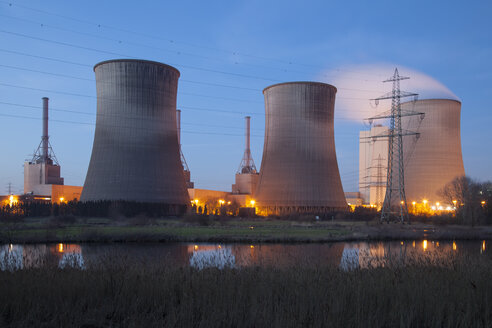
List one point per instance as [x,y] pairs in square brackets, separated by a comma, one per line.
[48,230]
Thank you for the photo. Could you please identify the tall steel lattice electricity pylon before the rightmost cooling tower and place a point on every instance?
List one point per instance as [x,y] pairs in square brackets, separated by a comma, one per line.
[395,152]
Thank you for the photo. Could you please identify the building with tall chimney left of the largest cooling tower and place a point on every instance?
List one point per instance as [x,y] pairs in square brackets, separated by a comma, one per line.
[42,175]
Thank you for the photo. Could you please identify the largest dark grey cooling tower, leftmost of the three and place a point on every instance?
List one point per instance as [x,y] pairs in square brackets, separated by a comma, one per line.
[135,156]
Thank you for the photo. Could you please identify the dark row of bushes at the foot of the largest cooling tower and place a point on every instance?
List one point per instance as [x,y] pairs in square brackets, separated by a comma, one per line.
[90,209]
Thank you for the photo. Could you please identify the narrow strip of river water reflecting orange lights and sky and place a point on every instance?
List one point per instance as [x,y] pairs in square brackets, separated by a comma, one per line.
[346,256]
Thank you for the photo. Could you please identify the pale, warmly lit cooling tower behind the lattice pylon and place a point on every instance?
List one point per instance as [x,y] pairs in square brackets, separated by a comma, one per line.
[433,159]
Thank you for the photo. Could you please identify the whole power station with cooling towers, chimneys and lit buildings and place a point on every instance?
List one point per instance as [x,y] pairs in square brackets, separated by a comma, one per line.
[137,156]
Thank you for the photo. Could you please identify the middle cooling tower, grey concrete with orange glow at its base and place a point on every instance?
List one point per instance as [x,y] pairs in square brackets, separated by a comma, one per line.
[299,170]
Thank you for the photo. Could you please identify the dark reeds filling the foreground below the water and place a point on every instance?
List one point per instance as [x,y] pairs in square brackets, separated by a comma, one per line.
[458,294]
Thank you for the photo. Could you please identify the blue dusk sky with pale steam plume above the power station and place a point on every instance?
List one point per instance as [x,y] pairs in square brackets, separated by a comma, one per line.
[227,53]
